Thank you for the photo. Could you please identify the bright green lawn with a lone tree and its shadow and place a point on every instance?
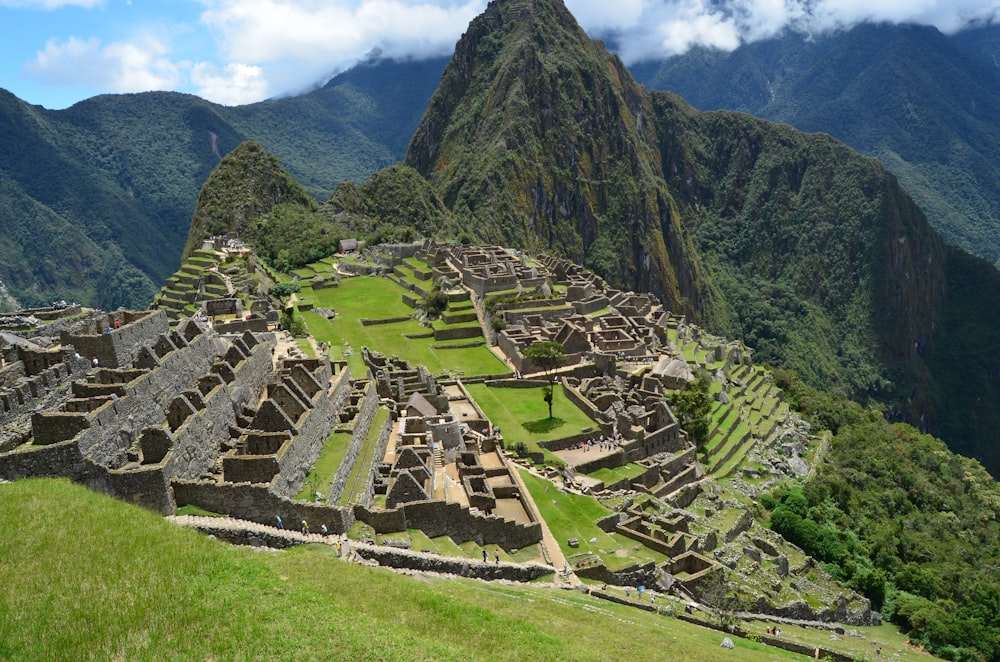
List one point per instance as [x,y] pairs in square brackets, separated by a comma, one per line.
[523,415]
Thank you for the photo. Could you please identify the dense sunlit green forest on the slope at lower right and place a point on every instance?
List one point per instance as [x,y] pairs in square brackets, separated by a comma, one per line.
[897,516]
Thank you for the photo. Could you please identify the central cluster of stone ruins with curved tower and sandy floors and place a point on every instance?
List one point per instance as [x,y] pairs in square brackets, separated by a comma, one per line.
[439,473]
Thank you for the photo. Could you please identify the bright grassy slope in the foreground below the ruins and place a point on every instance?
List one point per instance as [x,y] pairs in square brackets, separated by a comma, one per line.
[86,577]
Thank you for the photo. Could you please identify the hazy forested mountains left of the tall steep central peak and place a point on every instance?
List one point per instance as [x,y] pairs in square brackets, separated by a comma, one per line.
[96,200]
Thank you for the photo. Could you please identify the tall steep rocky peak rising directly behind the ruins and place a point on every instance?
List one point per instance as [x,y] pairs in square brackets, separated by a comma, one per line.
[538,137]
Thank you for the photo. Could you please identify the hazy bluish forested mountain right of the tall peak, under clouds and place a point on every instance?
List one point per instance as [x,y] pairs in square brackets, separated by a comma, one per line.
[925,104]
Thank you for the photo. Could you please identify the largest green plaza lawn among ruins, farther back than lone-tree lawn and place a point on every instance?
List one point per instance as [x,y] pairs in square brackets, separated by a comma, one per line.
[379,298]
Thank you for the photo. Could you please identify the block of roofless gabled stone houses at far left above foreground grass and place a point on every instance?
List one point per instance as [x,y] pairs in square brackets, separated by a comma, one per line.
[160,412]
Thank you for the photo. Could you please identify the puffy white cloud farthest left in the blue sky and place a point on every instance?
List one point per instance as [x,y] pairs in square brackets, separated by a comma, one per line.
[116,67]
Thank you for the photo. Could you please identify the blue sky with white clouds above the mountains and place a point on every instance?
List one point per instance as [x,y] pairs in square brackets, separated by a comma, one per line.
[57,52]
